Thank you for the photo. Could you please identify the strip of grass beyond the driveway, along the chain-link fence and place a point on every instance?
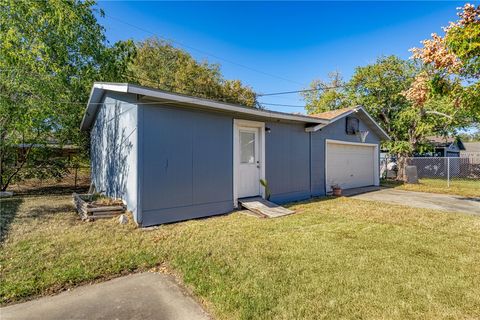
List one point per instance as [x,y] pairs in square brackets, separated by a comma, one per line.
[461,187]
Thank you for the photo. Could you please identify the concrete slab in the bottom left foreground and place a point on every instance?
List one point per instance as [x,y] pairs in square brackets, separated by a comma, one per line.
[137,296]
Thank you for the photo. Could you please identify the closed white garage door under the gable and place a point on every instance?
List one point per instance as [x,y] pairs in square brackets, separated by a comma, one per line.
[351,165]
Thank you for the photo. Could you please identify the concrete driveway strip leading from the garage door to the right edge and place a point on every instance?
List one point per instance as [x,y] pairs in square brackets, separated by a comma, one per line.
[423,200]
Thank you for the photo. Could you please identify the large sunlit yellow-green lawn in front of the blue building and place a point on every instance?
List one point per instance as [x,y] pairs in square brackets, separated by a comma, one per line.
[334,258]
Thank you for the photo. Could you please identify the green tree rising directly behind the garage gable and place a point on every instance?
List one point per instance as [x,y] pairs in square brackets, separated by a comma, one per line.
[379,88]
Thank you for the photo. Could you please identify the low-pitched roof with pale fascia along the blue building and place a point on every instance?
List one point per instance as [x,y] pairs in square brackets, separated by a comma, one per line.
[150,95]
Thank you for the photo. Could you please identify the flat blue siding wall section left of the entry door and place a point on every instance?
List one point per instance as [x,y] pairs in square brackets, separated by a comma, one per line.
[186,164]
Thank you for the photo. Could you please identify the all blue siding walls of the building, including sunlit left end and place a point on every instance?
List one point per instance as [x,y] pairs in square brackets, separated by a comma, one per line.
[170,164]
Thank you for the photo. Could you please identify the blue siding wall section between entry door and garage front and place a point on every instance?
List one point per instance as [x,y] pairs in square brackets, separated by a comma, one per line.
[287,153]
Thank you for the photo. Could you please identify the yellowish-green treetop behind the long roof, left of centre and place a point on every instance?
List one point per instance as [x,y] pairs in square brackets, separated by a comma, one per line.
[159,64]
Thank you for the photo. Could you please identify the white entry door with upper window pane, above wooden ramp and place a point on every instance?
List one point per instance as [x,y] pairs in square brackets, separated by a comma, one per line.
[248,162]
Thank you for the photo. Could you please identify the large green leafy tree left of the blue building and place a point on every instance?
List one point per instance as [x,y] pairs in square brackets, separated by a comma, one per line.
[50,53]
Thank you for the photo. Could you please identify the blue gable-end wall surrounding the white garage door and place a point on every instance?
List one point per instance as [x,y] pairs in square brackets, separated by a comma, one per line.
[334,131]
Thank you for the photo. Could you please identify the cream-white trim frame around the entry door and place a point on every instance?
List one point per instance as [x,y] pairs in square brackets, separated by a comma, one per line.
[237,123]
